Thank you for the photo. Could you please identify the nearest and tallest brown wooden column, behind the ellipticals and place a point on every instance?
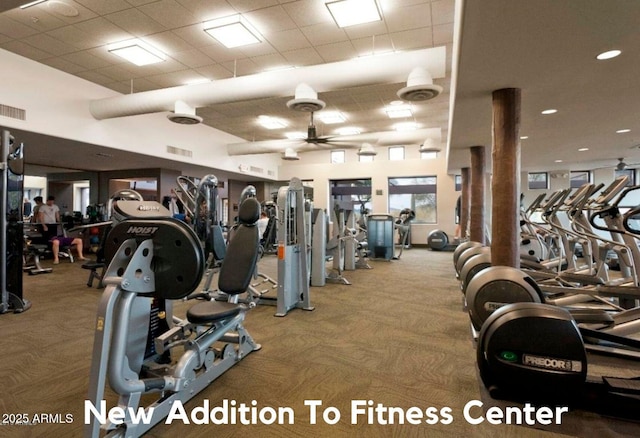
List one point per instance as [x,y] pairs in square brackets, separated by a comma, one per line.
[505,184]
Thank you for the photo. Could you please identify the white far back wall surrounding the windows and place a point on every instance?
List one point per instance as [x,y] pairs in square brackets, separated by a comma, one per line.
[316,166]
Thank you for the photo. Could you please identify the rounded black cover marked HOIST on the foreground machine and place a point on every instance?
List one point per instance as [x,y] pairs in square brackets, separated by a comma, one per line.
[178,259]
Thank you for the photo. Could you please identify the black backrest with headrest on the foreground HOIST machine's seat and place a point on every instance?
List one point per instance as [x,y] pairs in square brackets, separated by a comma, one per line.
[242,252]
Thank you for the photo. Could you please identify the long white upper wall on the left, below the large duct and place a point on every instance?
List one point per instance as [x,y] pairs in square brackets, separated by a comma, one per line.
[57,104]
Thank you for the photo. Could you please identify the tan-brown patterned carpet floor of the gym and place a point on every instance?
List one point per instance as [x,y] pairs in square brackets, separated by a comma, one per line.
[397,336]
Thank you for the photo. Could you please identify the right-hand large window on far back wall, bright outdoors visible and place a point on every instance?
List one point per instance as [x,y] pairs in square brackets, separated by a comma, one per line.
[417,193]
